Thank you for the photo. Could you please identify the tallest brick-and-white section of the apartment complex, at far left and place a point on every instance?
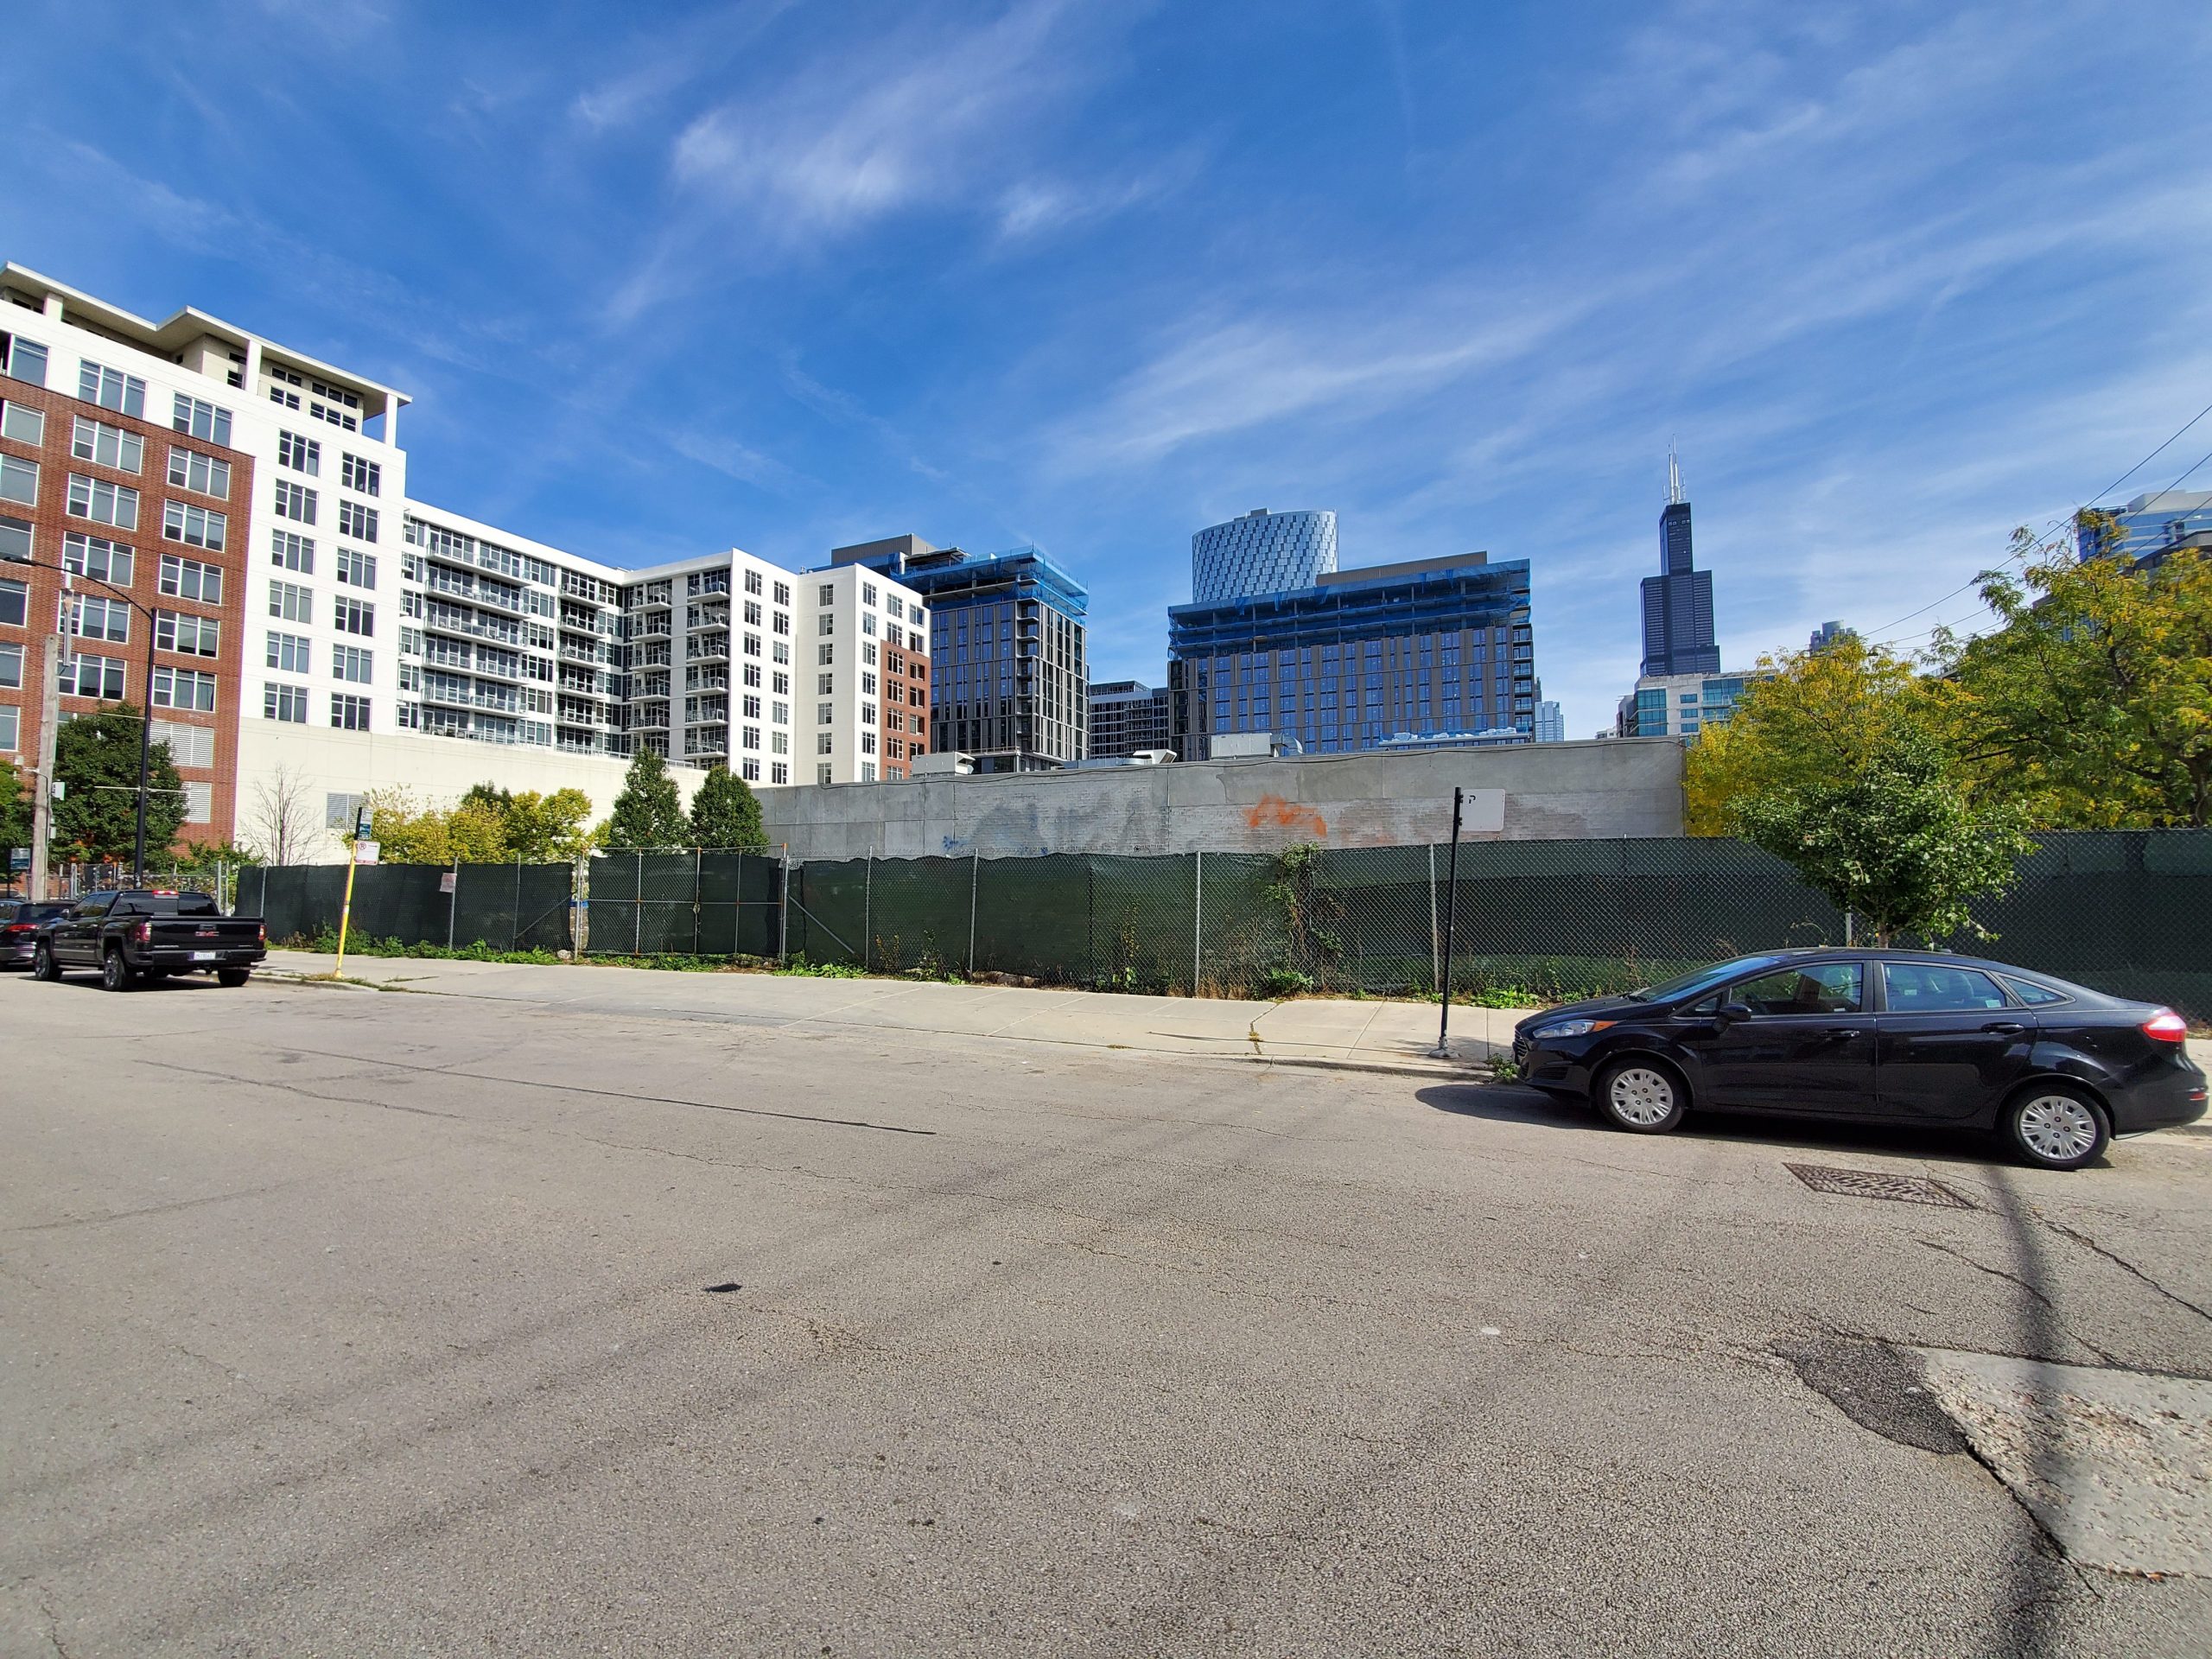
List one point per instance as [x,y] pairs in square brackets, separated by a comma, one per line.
[242,492]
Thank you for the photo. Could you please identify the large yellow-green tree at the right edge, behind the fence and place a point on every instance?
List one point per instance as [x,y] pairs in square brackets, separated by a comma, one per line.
[2094,705]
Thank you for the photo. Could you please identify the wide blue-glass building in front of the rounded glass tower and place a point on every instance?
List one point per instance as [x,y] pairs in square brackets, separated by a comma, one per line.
[1359,658]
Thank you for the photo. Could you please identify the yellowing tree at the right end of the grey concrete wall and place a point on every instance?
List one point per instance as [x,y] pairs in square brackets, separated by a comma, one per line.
[1808,718]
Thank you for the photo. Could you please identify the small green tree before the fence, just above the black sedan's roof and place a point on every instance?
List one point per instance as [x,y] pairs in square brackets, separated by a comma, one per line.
[1890,839]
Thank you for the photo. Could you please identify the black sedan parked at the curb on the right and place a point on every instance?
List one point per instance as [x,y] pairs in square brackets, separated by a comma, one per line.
[1879,1036]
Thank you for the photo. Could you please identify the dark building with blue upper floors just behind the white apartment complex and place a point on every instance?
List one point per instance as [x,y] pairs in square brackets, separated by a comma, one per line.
[1008,649]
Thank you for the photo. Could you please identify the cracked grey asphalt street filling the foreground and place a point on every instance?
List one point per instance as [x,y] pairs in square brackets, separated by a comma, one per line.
[351,1322]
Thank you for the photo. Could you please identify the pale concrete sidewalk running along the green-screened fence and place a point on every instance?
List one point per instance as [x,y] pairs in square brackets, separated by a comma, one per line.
[1313,1032]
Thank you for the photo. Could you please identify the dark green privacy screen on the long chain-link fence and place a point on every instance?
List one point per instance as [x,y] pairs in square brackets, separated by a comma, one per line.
[1558,919]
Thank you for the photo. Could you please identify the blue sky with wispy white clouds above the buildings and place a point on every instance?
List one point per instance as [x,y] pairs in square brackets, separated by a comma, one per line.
[660,280]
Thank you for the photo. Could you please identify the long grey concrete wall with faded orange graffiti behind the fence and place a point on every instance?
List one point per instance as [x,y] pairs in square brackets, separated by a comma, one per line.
[1536,793]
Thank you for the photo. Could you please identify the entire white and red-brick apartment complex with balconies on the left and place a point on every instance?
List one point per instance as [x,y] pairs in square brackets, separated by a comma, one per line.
[320,629]
